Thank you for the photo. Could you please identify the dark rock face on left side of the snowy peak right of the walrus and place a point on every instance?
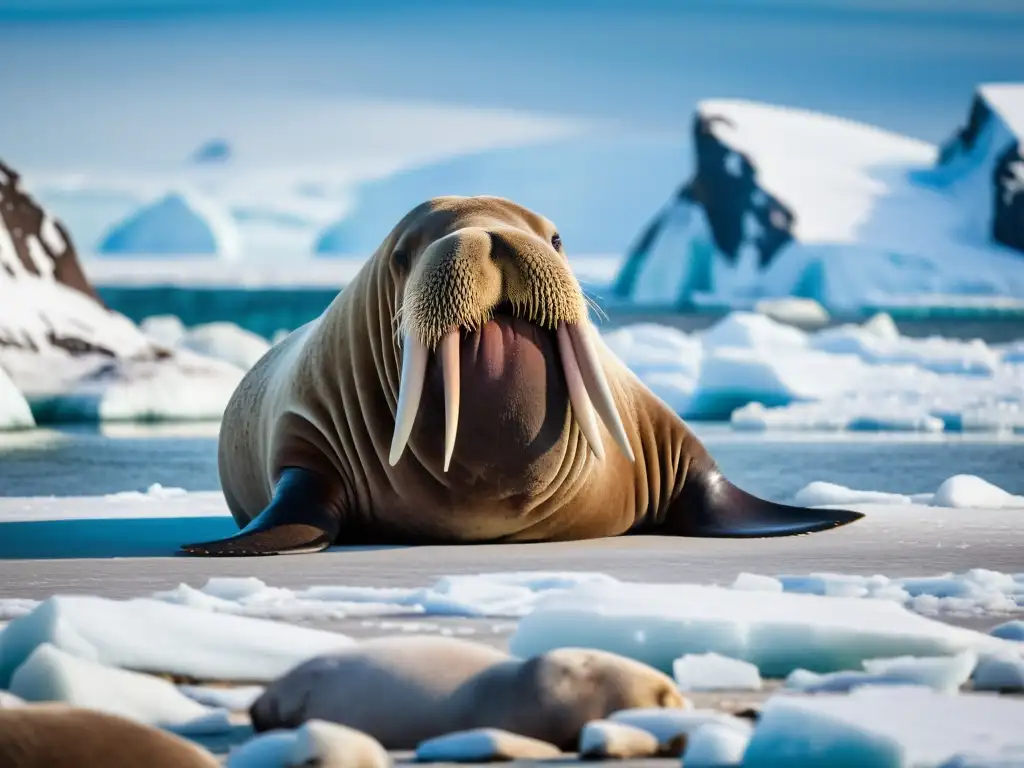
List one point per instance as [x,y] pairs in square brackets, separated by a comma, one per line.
[739,211]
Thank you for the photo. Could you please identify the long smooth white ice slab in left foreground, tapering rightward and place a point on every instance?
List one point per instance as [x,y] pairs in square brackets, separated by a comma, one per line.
[153,636]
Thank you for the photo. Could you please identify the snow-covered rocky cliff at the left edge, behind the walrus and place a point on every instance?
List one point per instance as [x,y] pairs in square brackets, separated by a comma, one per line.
[68,355]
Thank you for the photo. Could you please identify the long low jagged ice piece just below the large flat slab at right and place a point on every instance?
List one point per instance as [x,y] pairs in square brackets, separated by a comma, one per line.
[945,674]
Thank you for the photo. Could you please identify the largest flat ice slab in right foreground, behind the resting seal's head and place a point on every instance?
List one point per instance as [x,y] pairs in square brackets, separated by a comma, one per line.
[778,632]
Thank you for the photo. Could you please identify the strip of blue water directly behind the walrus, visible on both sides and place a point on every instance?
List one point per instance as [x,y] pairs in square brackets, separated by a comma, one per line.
[88,463]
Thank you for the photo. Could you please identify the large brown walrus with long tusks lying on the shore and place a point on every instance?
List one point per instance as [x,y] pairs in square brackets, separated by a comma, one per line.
[457,392]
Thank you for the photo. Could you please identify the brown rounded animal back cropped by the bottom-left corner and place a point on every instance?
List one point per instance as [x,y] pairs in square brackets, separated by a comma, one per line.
[62,737]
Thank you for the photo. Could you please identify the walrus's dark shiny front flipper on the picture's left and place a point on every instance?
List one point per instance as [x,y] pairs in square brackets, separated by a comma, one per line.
[302,519]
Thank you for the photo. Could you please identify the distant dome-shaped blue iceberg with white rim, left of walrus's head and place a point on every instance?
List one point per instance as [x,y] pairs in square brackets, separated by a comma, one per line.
[178,224]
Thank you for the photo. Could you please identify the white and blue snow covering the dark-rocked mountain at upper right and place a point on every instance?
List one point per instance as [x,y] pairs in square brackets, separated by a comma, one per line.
[877,223]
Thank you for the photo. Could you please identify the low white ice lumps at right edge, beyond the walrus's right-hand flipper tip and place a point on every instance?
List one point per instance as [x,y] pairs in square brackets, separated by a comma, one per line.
[958,492]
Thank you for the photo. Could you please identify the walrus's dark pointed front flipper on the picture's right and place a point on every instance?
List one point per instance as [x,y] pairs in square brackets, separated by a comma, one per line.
[711,507]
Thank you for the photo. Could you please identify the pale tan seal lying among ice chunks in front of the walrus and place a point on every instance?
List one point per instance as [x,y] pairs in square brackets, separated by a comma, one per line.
[404,691]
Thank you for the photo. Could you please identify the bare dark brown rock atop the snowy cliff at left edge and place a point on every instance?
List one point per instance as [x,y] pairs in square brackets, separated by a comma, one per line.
[31,228]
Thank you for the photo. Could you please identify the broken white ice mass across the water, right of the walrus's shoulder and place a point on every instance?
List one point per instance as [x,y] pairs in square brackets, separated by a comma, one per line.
[761,375]
